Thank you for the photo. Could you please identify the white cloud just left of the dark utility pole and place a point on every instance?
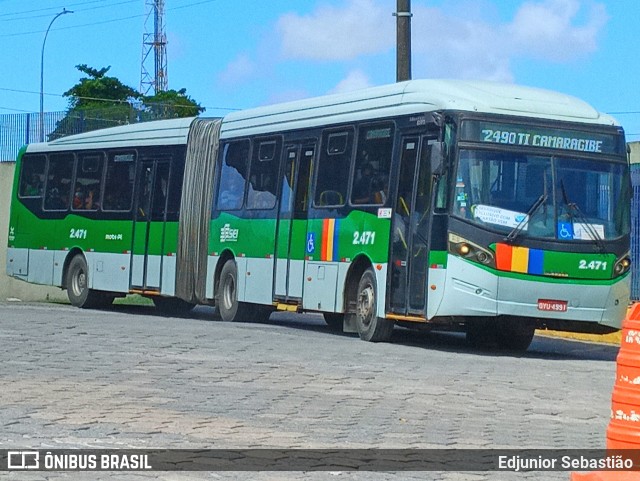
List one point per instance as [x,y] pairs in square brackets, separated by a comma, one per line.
[330,33]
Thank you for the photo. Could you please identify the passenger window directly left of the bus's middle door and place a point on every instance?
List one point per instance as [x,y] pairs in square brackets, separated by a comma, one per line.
[263,175]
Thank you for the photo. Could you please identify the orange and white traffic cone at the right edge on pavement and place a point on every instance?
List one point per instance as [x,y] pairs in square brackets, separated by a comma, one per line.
[624,428]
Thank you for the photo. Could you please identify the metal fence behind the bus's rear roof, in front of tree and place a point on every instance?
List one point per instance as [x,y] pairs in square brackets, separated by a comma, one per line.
[17,130]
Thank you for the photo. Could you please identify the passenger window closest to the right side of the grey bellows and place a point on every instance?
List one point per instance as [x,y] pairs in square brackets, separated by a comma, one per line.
[233,175]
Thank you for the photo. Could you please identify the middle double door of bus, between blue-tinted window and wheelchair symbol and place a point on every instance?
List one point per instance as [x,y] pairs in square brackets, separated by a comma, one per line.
[292,222]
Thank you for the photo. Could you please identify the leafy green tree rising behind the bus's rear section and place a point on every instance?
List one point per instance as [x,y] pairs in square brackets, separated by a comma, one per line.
[100,101]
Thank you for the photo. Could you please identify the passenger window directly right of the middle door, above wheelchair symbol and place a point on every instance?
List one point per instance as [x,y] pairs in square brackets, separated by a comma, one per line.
[333,169]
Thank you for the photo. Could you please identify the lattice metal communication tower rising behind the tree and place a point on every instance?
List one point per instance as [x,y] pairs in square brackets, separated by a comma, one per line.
[154,67]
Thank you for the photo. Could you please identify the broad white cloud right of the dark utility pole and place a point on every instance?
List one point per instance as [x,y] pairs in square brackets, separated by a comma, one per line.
[470,46]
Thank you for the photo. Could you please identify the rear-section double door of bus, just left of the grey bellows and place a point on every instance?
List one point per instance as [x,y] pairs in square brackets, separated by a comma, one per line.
[149,226]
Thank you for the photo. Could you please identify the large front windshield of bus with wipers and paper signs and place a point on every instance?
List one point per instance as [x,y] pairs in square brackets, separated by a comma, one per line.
[561,198]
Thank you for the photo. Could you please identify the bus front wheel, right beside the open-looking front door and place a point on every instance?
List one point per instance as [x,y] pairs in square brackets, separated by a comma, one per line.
[370,326]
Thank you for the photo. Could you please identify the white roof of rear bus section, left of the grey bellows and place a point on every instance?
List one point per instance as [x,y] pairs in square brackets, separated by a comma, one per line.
[157,132]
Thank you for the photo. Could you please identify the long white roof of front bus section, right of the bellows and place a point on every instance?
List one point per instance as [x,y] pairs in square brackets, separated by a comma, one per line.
[414,96]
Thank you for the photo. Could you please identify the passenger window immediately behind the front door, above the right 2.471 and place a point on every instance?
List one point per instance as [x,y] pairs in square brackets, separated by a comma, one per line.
[373,165]
